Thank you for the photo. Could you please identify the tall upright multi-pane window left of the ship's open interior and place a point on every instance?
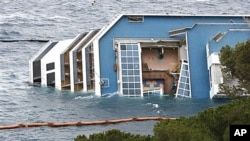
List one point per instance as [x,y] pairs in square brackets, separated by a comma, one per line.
[130,69]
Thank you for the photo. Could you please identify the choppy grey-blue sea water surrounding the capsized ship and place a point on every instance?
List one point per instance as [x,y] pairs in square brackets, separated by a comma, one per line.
[56,20]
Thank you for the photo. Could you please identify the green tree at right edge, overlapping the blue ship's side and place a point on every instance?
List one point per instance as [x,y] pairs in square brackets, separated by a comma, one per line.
[236,64]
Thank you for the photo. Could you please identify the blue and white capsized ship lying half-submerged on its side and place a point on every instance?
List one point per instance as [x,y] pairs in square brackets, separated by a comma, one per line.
[140,55]
